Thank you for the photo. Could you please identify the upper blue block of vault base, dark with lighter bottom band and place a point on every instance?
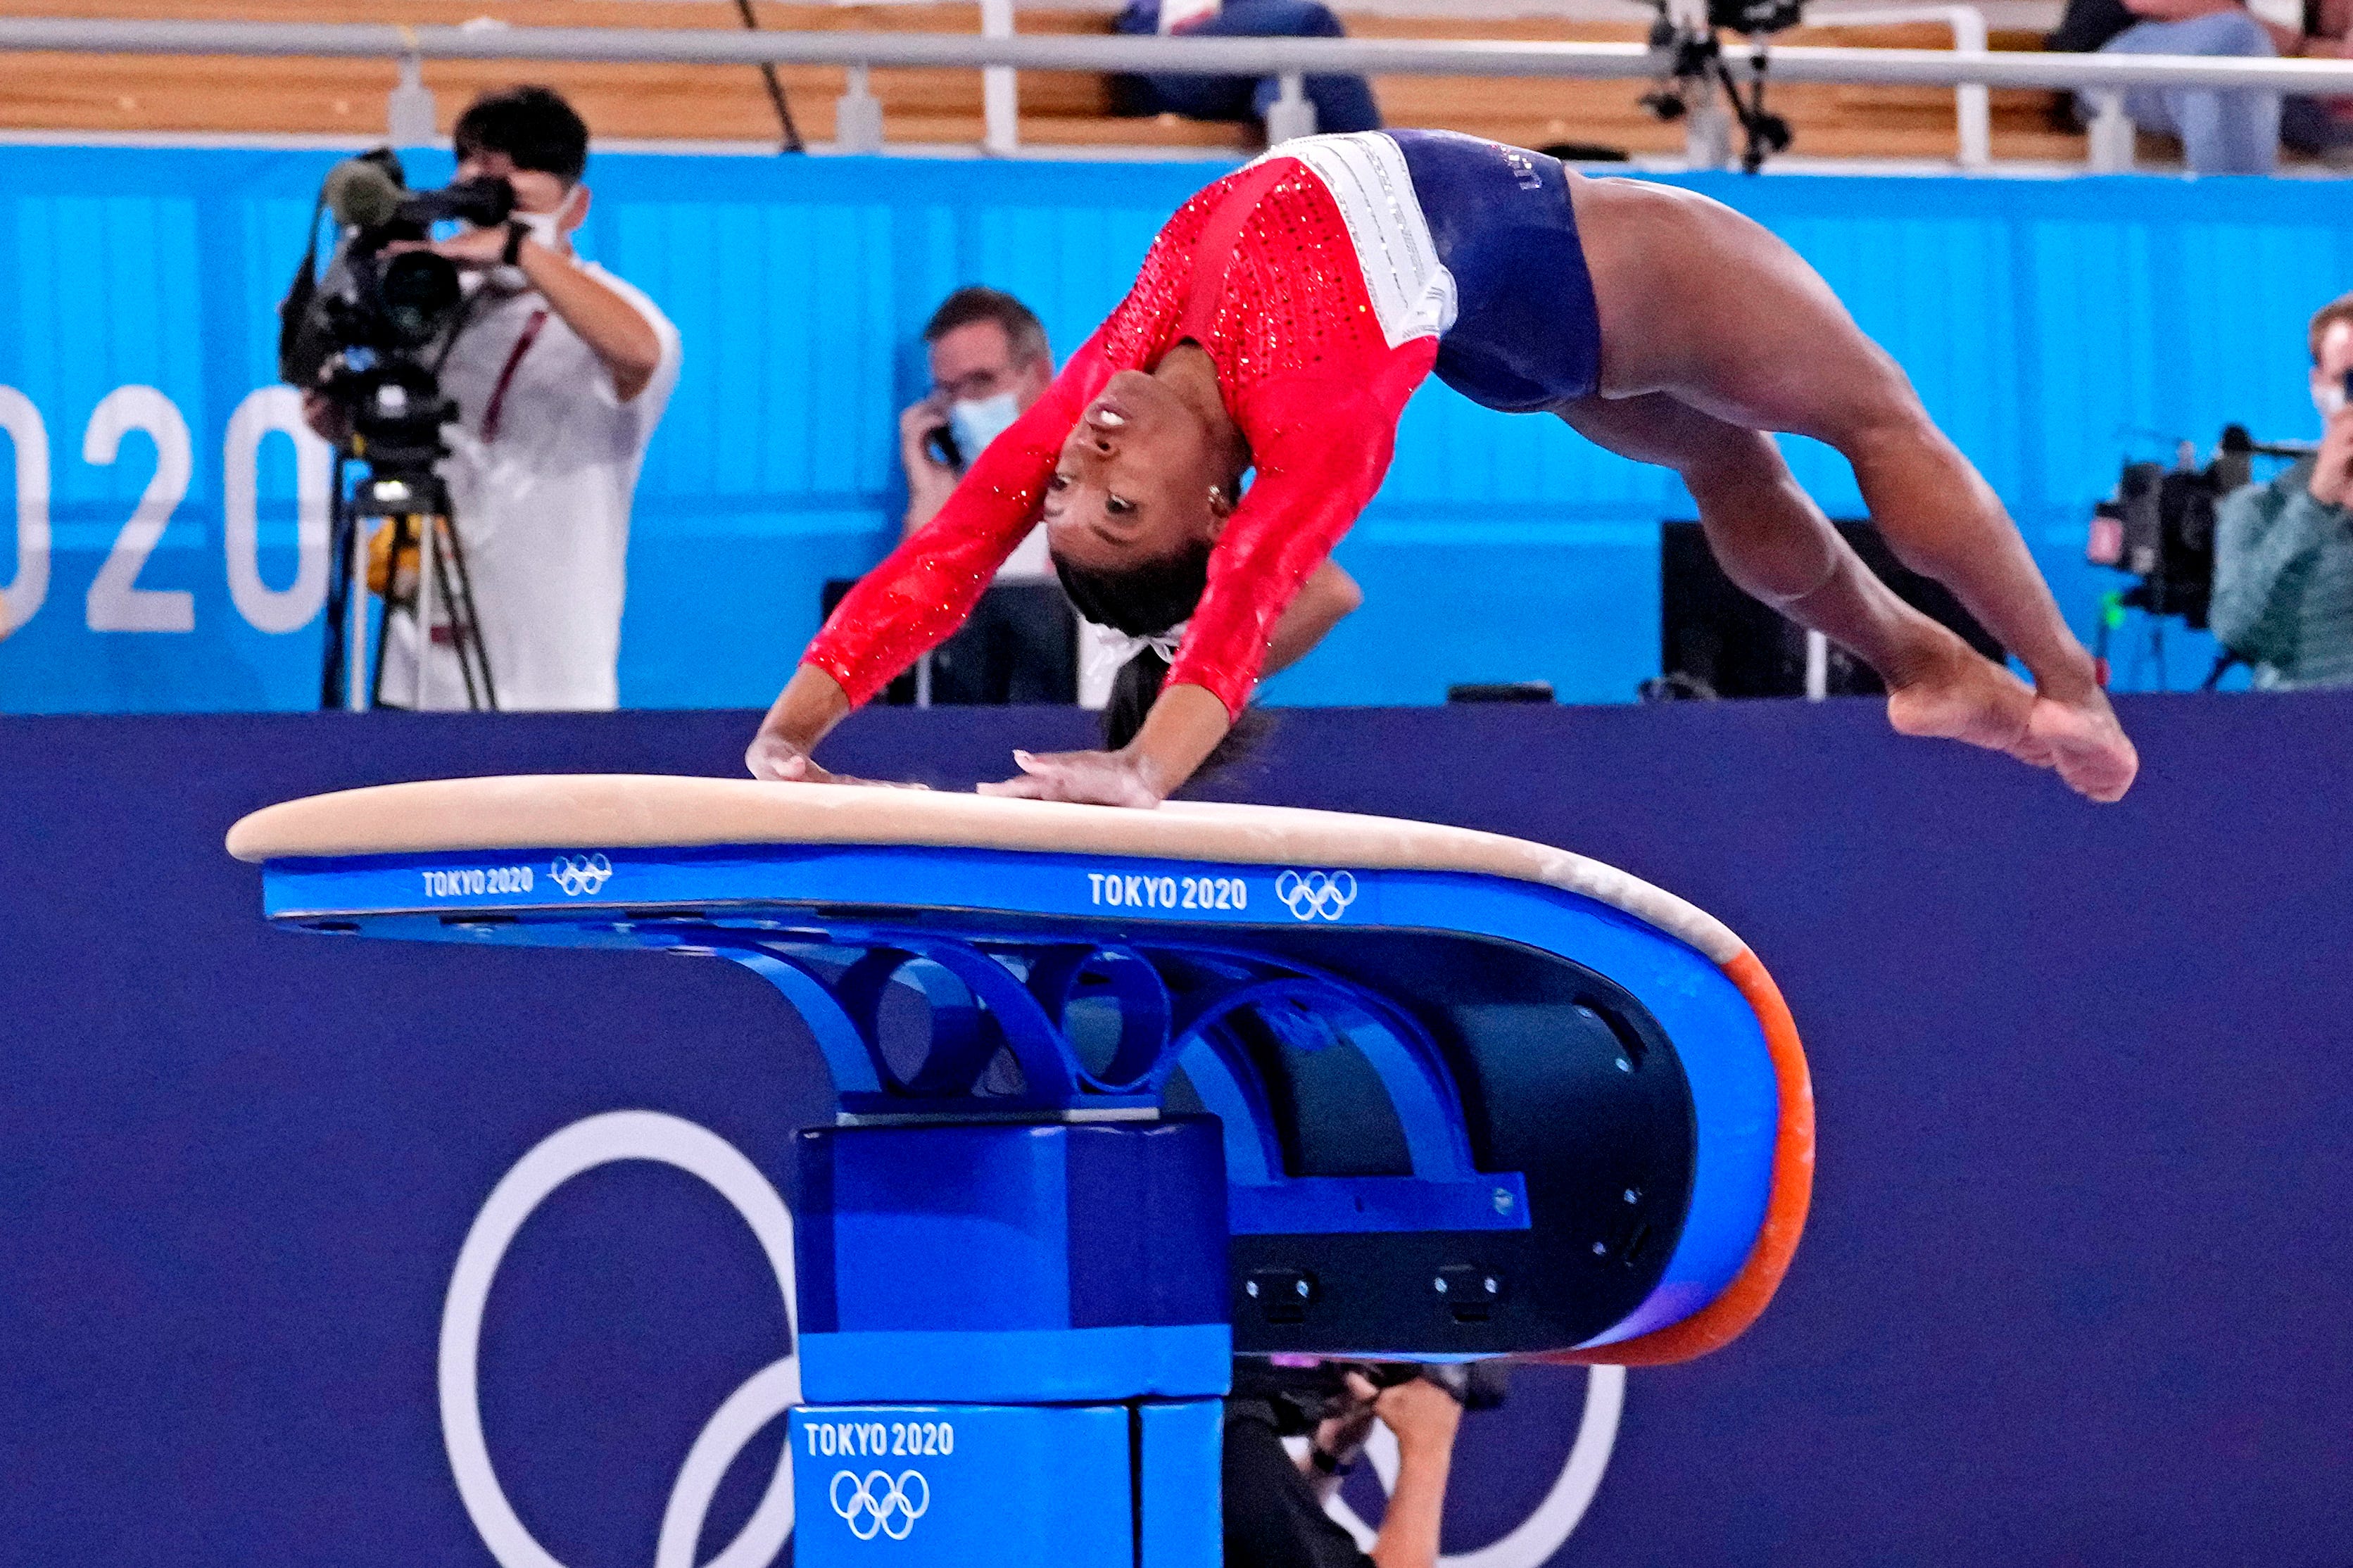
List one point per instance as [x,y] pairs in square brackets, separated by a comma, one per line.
[1062,1263]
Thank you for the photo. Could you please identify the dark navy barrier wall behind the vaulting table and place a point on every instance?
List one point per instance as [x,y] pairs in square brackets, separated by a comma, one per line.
[2072,1291]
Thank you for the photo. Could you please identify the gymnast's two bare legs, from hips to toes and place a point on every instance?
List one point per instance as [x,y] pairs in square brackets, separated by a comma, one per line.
[1712,333]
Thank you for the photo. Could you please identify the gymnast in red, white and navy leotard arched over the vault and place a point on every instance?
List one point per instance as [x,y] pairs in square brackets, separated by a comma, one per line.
[1279,326]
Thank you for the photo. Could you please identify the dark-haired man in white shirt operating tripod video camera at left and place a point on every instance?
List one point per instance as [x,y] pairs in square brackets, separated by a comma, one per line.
[561,373]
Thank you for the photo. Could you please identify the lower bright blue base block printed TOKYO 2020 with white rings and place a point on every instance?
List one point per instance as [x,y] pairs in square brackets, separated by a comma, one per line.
[1008,1487]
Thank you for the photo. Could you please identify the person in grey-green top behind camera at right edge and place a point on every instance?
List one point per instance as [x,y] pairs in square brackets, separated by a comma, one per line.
[2284,552]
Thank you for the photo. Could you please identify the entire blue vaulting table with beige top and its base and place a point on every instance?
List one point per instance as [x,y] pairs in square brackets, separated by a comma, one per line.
[1128,1094]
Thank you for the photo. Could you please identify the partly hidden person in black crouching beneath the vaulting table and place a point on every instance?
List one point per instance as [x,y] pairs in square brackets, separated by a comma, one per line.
[1274,1506]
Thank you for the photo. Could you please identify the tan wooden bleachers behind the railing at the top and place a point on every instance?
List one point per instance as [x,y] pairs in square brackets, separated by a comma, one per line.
[65,93]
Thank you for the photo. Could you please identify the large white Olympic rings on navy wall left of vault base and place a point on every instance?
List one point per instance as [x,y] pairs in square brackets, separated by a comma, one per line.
[585,1145]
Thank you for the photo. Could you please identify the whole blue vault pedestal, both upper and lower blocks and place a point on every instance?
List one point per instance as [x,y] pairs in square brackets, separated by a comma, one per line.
[1015,1343]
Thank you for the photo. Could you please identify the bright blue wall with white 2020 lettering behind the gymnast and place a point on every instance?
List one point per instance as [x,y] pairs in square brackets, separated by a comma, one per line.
[2053,326]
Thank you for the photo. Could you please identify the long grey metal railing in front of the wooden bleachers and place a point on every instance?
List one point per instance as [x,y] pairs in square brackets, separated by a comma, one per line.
[2100,77]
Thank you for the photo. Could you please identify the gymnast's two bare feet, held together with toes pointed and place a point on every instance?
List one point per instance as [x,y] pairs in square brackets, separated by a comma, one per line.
[1961,696]
